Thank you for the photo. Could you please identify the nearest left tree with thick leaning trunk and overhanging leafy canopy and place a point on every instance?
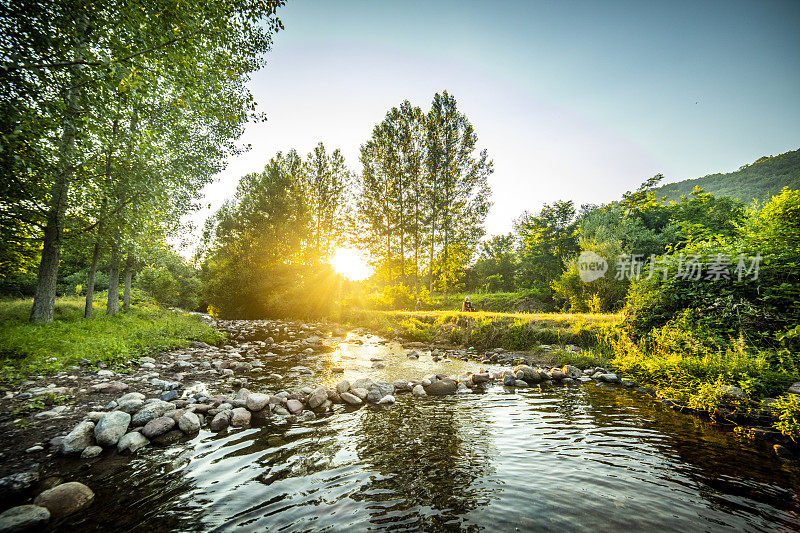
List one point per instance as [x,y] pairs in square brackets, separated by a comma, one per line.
[66,62]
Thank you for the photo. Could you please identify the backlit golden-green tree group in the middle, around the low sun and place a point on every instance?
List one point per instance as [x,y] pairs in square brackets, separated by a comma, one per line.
[418,206]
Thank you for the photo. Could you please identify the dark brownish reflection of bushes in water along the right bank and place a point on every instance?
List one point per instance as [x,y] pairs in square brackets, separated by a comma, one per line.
[733,475]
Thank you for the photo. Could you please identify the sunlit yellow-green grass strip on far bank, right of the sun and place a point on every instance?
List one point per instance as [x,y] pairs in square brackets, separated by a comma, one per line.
[511,331]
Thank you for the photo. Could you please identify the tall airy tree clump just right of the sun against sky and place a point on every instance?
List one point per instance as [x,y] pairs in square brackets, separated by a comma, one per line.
[423,194]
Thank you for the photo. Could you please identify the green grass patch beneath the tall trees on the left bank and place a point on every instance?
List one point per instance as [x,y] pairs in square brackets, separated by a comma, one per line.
[27,349]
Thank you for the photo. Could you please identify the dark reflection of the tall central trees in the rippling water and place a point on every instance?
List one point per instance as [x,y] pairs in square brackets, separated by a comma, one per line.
[431,456]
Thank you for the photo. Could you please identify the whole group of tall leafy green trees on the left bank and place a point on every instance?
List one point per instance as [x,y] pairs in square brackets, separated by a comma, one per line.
[113,116]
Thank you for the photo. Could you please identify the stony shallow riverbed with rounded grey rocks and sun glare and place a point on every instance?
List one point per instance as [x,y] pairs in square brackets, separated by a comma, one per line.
[268,374]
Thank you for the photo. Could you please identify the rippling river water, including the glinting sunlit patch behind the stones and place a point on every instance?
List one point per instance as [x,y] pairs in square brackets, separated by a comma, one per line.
[549,458]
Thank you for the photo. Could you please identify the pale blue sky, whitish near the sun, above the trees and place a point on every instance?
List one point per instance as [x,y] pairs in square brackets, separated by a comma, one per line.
[579,100]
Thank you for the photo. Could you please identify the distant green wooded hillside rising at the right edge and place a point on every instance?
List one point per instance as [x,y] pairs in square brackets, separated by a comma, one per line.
[759,180]
